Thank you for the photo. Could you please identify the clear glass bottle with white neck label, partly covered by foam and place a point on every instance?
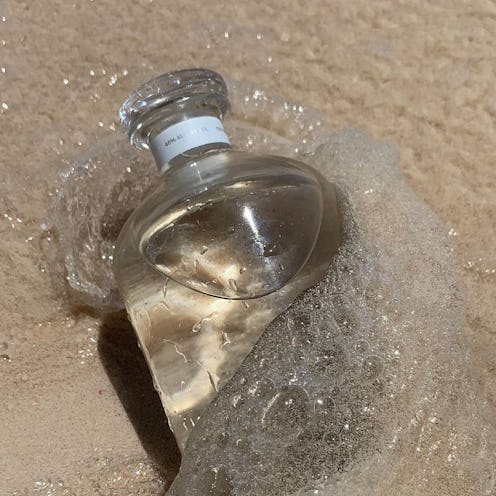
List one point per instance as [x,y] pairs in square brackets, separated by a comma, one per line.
[209,258]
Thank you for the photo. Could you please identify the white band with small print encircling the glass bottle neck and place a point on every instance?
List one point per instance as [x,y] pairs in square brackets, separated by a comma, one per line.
[187,138]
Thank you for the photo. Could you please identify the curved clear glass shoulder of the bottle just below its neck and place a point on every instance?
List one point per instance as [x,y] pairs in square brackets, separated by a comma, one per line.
[220,177]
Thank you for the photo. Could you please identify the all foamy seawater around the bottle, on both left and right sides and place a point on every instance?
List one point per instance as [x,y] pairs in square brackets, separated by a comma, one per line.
[362,386]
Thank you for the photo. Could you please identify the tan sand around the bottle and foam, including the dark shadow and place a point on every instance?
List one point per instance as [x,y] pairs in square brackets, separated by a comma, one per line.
[419,76]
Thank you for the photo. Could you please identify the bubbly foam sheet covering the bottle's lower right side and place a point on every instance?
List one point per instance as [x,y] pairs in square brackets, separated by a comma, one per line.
[368,391]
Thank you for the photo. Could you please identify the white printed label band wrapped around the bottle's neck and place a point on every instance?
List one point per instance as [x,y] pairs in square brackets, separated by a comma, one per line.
[184,136]
